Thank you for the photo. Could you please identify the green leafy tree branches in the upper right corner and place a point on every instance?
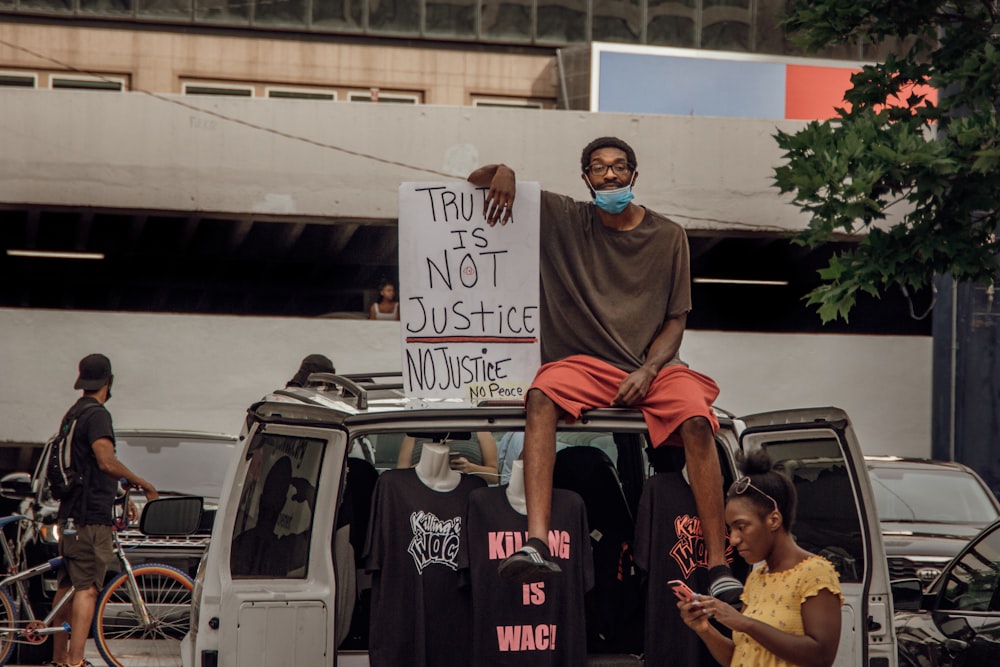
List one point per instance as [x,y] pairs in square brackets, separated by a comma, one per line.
[920,176]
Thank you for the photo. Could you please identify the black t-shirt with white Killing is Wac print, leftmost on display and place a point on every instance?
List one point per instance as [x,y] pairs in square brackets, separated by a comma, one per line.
[420,611]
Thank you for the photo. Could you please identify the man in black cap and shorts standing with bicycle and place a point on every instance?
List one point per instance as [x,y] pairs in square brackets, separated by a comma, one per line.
[86,517]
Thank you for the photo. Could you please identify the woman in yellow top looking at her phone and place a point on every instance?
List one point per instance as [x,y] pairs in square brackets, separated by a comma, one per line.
[792,598]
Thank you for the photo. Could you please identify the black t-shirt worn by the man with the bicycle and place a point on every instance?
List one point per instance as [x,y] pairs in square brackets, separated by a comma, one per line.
[93,506]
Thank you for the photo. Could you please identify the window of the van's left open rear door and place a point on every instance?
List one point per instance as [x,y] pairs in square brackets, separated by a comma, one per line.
[275,515]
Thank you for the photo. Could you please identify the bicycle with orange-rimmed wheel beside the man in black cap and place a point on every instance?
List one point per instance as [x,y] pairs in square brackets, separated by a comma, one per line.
[142,613]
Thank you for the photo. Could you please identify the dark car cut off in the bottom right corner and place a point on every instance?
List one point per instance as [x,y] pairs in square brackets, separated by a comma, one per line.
[956,622]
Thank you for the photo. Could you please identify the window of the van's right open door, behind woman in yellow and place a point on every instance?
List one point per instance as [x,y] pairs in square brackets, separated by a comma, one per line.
[827,521]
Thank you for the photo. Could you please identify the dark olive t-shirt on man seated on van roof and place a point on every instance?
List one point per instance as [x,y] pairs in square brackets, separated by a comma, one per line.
[606,293]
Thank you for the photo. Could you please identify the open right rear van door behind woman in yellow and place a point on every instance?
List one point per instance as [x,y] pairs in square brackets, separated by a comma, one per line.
[818,450]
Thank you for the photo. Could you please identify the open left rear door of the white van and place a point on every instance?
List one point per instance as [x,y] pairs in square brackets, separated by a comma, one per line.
[267,593]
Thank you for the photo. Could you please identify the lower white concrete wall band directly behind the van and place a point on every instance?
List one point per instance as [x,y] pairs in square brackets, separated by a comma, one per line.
[198,372]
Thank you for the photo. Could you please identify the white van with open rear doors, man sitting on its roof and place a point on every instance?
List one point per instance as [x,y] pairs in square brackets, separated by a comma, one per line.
[330,445]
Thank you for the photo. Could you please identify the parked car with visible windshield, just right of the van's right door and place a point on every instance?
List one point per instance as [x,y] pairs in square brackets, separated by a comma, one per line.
[928,510]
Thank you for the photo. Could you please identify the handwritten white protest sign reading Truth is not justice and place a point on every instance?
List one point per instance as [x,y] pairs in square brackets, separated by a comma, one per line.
[468,293]
